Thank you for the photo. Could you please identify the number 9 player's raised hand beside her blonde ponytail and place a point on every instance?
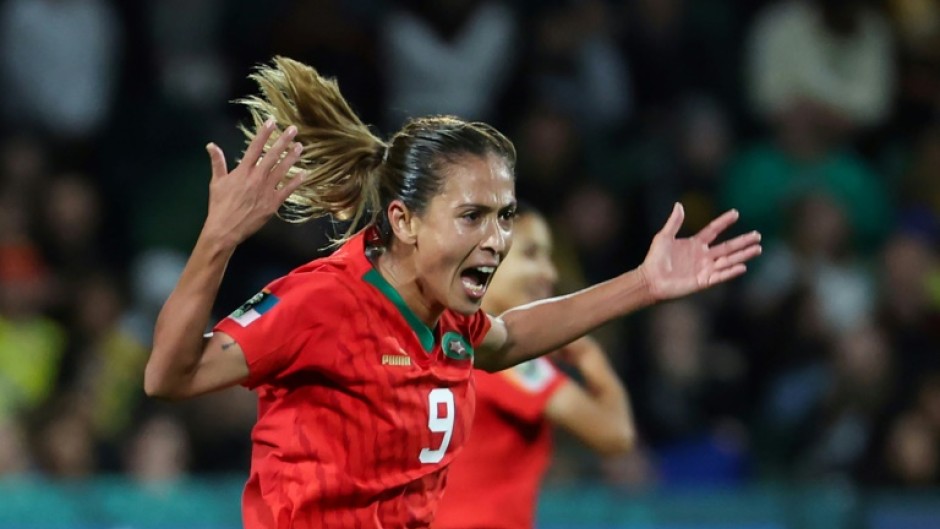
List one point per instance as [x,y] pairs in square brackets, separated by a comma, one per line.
[242,201]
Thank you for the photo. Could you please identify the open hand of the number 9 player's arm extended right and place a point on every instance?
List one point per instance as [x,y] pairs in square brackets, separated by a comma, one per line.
[677,267]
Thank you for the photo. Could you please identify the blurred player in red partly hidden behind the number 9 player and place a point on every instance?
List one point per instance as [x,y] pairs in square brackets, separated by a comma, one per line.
[494,482]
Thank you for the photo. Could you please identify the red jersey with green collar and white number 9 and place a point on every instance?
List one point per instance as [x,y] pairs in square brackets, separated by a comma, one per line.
[361,406]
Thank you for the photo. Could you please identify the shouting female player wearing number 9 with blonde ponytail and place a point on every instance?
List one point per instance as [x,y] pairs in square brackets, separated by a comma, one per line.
[362,360]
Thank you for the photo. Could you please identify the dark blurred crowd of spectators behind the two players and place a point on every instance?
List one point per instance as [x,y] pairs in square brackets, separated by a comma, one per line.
[819,120]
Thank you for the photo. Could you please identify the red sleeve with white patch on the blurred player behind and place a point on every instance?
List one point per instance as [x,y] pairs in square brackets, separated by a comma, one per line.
[524,390]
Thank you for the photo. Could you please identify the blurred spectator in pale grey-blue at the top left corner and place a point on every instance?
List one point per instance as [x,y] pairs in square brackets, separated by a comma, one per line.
[51,44]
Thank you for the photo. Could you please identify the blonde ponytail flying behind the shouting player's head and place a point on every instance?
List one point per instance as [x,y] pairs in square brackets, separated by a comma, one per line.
[341,155]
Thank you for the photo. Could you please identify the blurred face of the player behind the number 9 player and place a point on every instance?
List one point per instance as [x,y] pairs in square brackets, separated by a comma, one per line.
[528,273]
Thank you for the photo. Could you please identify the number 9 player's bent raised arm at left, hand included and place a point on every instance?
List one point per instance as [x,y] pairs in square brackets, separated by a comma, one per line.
[183,363]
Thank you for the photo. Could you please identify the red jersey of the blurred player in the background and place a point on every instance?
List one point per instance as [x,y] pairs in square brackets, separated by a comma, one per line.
[494,483]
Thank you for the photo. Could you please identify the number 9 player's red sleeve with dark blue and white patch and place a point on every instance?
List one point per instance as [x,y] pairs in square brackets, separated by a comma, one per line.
[289,326]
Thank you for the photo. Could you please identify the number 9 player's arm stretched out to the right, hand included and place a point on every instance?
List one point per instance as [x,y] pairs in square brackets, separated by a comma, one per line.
[673,268]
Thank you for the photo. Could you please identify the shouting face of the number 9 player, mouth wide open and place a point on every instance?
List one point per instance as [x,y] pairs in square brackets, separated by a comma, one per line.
[464,233]
